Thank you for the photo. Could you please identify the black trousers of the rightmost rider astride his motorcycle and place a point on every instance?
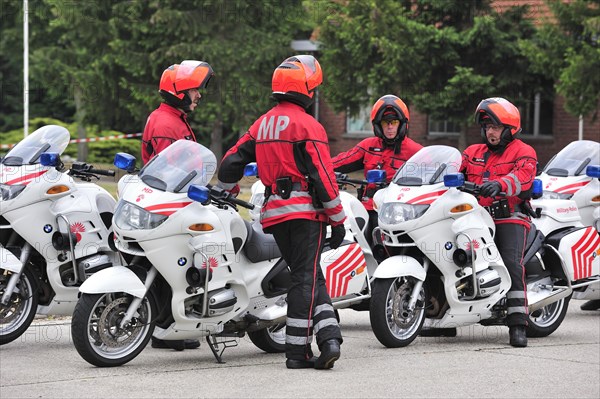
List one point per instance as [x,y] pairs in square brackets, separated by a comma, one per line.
[511,239]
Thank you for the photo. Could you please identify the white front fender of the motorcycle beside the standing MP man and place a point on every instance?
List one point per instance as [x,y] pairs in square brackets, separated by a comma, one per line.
[114,279]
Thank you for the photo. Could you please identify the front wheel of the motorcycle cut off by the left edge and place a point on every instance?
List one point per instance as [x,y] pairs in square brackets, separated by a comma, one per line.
[17,315]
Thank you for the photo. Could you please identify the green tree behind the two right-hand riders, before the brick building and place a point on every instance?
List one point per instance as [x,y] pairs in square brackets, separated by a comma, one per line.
[441,56]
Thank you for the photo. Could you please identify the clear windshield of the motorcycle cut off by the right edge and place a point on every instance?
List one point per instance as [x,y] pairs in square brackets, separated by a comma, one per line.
[574,158]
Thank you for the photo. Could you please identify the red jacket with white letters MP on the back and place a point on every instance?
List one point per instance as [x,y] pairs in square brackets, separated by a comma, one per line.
[286,141]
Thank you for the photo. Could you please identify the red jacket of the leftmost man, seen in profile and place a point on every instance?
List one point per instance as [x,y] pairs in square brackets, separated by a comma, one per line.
[164,126]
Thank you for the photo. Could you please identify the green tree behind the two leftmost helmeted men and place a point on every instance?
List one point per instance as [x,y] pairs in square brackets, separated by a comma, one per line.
[243,42]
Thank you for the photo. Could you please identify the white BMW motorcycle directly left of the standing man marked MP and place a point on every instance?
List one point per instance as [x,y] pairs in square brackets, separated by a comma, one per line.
[195,267]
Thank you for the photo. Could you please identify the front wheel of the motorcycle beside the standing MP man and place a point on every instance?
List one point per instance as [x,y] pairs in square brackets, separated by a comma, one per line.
[97,332]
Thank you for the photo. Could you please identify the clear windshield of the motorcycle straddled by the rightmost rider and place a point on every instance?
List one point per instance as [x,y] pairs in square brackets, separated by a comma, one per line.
[429,166]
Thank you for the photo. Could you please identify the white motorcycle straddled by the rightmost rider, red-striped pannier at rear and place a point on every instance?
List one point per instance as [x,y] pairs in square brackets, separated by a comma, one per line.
[452,275]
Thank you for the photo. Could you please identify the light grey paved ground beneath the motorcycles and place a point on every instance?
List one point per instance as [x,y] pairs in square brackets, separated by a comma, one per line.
[477,363]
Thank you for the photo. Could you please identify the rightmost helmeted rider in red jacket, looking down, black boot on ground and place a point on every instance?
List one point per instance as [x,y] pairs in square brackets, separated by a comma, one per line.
[506,164]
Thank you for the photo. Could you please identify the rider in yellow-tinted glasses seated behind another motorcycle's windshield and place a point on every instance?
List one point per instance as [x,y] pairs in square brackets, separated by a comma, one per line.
[388,150]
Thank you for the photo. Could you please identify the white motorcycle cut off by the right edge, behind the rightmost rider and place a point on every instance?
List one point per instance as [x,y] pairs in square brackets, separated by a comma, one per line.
[572,197]
